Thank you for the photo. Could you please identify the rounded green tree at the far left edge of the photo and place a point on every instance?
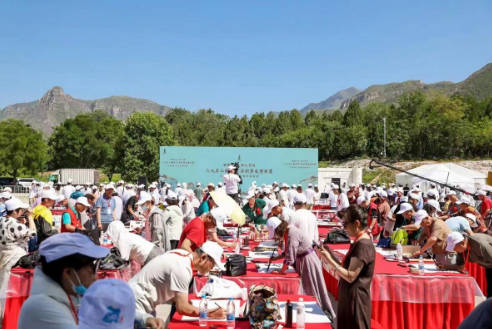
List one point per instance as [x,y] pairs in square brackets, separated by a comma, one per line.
[23,150]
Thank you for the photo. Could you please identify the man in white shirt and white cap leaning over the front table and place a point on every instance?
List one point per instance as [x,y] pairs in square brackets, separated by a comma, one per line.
[166,279]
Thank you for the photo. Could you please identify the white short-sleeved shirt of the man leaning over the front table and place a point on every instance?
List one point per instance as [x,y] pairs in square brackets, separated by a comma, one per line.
[161,279]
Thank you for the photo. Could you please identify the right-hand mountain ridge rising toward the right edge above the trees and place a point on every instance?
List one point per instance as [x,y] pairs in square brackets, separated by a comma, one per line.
[478,85]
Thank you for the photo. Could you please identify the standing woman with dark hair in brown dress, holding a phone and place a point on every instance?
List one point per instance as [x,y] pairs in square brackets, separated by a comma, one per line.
[356,272]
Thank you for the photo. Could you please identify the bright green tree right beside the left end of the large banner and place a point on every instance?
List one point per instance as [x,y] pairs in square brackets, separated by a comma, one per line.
[138,149]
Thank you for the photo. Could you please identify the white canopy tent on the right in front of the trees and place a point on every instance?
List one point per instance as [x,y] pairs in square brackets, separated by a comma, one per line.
[444,173]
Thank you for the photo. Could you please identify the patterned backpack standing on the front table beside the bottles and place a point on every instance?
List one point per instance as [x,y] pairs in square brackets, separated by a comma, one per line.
[264,309]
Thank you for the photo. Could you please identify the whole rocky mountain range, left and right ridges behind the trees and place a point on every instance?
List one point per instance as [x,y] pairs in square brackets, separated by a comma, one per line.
[56,106]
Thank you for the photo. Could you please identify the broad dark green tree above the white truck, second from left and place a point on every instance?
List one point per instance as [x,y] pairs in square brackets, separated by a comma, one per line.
[86,141]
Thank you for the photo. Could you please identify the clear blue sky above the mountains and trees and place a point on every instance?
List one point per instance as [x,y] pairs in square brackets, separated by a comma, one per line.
[236,57]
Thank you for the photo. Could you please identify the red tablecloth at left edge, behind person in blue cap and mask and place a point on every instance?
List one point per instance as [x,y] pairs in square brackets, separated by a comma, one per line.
[19,289]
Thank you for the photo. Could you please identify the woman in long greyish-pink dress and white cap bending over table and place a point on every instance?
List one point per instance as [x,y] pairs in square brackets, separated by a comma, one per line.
[299,251]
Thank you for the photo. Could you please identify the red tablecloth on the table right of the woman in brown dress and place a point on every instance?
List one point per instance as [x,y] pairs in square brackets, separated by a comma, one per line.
[404,300]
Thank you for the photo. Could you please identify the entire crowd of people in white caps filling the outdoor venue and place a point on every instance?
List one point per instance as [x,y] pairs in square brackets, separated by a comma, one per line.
[181,230]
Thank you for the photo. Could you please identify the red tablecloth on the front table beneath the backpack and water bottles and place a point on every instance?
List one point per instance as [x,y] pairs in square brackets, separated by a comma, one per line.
[176,322]
